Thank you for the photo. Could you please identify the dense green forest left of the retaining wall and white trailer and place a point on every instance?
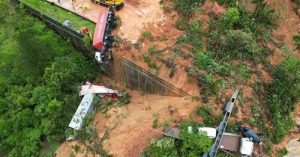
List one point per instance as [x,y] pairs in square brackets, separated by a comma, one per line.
[40,74]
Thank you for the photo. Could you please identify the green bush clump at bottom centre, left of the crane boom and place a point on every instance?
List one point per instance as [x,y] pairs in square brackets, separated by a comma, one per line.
[190,144]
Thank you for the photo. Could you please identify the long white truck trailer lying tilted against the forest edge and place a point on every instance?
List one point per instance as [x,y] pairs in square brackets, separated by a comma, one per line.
[83,109]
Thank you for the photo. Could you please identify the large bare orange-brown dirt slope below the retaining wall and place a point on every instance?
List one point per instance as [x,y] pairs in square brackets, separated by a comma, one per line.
[133,123]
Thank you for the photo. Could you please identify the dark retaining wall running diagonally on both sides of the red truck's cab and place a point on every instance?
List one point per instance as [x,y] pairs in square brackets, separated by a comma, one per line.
[162,86]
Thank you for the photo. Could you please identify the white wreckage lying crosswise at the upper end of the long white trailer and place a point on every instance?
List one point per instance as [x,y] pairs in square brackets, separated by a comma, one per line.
[94,89]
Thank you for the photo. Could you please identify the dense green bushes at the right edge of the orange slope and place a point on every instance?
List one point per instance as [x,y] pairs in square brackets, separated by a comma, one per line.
[283,94]
